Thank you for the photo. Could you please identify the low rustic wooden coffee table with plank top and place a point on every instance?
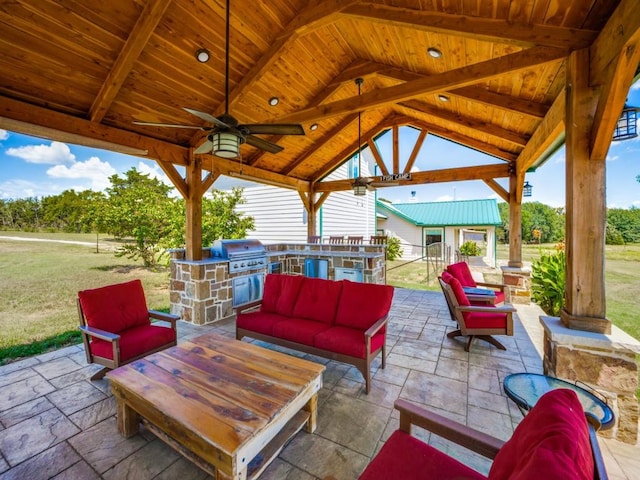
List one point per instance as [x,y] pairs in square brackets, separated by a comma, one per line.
[228,406]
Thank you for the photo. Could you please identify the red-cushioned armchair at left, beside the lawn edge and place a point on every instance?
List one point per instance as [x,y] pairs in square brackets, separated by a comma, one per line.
[116,325]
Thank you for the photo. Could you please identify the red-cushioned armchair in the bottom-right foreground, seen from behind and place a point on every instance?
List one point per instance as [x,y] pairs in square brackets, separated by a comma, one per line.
[554,441]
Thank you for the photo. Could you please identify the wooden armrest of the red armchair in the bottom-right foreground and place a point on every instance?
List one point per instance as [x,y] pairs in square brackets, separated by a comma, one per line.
[474,440]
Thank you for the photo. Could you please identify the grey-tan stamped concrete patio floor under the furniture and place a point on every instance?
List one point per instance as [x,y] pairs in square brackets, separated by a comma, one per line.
[55,423]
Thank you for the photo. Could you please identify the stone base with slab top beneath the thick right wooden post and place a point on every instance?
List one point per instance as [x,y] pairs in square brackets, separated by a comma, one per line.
[605,362]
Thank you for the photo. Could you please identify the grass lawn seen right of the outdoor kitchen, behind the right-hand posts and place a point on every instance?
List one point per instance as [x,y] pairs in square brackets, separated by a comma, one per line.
[622,277]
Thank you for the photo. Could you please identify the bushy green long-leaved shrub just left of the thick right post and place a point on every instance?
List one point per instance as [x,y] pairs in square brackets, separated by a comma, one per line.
[548,281]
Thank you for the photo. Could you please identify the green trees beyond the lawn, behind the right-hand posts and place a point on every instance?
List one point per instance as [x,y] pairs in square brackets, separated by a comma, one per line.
[544,224]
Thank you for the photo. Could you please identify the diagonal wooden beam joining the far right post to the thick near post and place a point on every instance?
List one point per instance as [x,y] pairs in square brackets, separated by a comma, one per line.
[546,134]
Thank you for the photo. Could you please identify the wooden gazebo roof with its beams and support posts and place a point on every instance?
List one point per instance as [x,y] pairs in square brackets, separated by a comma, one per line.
[505,77]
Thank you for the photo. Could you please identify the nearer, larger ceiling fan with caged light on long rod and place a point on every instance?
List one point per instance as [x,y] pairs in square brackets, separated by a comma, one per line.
[226,135]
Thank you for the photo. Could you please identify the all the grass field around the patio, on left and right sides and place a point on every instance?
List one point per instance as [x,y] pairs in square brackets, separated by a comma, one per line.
[40,280]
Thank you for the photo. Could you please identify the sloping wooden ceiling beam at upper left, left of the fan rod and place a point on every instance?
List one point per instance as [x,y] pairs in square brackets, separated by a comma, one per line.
[149,18]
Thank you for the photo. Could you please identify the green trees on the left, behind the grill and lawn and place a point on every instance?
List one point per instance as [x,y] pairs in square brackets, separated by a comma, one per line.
[135,208]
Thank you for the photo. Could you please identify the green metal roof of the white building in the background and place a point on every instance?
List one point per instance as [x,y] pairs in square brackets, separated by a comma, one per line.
[464,213]
